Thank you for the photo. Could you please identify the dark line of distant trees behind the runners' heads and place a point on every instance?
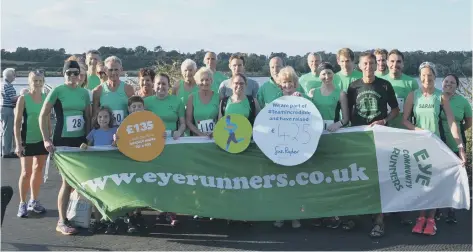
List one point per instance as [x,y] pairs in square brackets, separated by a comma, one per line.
[52,60]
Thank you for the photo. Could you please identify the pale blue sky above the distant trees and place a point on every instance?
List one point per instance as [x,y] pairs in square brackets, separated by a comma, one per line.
[253,26]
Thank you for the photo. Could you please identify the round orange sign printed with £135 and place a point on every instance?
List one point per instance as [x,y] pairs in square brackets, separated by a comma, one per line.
[140,136]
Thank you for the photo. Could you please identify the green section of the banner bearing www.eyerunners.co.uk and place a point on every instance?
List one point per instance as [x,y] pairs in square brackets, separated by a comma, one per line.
[200,178]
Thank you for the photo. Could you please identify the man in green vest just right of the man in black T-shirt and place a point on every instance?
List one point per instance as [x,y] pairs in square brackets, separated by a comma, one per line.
[402,84]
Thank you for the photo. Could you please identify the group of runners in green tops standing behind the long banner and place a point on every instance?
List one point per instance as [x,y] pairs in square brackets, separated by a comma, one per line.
[93,101]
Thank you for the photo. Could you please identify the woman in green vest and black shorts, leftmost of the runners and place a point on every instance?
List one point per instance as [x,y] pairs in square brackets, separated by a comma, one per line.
[29,144]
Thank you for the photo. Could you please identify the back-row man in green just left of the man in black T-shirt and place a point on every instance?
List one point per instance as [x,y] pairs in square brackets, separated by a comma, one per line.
[347,73]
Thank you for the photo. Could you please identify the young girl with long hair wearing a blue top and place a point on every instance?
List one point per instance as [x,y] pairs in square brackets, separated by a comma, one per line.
[101,135]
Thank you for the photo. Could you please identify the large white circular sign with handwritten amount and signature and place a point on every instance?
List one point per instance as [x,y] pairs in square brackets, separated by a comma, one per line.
[288,130]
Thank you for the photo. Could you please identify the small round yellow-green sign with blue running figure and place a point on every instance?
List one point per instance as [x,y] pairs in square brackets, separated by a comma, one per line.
[232,133]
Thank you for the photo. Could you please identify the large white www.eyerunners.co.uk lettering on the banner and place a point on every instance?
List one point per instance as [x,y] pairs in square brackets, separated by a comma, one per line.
[351,174]
